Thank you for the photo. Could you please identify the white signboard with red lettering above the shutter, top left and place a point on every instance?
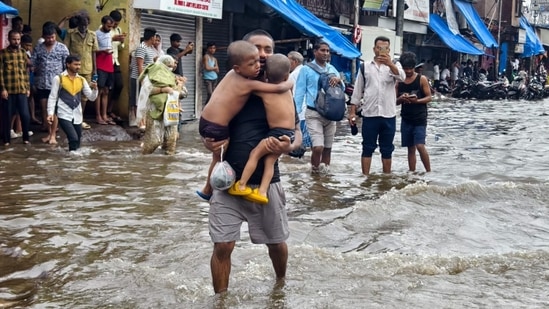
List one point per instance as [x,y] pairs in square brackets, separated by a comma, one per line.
[202,8]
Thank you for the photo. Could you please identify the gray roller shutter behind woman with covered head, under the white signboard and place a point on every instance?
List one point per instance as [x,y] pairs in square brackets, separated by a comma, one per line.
[184,25]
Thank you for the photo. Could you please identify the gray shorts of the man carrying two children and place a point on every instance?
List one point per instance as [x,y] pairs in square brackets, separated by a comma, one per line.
[267,224]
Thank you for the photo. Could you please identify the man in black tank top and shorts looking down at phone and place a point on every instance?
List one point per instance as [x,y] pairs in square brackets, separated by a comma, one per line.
[414,93]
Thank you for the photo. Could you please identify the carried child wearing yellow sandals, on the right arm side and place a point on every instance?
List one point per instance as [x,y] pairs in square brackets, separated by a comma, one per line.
[280,111]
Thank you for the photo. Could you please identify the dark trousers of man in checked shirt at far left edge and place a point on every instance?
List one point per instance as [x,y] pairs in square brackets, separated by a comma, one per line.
[16,103]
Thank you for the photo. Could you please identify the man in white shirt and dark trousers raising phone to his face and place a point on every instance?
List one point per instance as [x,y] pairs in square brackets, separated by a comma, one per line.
[375,91]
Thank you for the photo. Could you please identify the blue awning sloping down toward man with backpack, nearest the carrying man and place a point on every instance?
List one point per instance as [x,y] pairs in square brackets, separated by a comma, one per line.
[309,24]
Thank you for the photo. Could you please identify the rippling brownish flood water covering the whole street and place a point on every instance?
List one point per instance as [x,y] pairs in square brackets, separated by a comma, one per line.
[110,228]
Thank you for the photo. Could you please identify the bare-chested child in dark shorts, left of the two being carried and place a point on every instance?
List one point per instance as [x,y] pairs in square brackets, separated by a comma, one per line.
[230,95]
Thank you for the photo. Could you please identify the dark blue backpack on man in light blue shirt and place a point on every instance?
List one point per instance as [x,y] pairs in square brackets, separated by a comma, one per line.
[330,101]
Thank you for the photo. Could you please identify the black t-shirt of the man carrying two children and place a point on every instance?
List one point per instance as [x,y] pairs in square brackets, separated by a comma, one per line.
[247,129]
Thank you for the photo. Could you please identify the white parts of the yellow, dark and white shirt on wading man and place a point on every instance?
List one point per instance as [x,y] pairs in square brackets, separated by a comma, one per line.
[63,110]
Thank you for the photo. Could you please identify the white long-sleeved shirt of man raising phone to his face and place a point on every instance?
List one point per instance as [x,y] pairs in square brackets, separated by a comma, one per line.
[377,93]
